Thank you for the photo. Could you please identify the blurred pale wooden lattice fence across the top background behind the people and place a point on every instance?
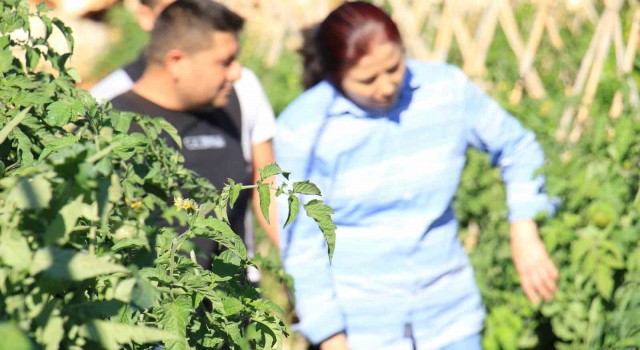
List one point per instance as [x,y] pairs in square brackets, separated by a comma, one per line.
[431,28]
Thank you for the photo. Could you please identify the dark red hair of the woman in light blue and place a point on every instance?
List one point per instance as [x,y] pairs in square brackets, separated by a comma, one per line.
[346,35]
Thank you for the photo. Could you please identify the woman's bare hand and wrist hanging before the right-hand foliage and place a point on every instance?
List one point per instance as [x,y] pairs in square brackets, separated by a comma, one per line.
[538,274]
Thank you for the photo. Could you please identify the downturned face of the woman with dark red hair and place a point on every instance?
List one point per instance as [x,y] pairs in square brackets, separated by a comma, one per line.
[374,83]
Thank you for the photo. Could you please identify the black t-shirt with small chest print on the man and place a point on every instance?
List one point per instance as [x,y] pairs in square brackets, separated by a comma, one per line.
[212,145]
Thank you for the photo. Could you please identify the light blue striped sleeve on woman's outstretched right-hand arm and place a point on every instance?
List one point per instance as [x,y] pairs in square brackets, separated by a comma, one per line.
[511,147]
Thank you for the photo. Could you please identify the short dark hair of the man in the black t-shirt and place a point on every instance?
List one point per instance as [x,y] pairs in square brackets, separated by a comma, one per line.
[187,25]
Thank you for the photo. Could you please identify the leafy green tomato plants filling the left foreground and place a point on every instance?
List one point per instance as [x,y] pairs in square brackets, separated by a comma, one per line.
[95,223]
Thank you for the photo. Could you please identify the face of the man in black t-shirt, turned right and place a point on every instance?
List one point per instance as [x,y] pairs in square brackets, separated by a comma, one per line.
[206,77]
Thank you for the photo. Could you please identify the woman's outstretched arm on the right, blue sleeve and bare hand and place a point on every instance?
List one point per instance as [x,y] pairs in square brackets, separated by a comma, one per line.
[515,150]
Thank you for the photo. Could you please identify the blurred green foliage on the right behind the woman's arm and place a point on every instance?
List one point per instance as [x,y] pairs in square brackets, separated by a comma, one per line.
[592,237]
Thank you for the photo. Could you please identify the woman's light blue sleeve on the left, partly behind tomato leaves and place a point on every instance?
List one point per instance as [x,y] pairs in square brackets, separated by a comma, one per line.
[303,248]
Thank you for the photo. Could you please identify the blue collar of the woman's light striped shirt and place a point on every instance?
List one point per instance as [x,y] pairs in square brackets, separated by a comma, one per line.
[342,105]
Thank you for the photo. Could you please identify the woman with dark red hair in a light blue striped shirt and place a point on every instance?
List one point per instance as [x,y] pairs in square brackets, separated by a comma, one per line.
[385,140]
